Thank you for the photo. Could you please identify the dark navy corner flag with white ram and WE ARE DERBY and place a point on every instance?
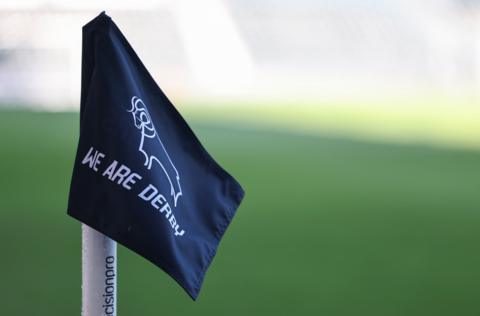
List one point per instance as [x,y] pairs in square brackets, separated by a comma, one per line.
[141,177]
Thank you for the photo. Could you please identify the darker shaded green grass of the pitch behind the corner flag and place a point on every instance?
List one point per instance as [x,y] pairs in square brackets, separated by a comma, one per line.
[329,226]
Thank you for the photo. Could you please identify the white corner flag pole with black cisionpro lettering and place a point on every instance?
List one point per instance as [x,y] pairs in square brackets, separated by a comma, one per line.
[99,274]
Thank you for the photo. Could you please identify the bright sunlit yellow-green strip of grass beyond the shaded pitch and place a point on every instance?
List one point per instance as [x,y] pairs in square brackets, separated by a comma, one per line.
[447,122]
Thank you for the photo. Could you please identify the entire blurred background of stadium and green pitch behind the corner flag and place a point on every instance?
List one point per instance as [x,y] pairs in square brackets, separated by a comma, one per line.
[354,127]
